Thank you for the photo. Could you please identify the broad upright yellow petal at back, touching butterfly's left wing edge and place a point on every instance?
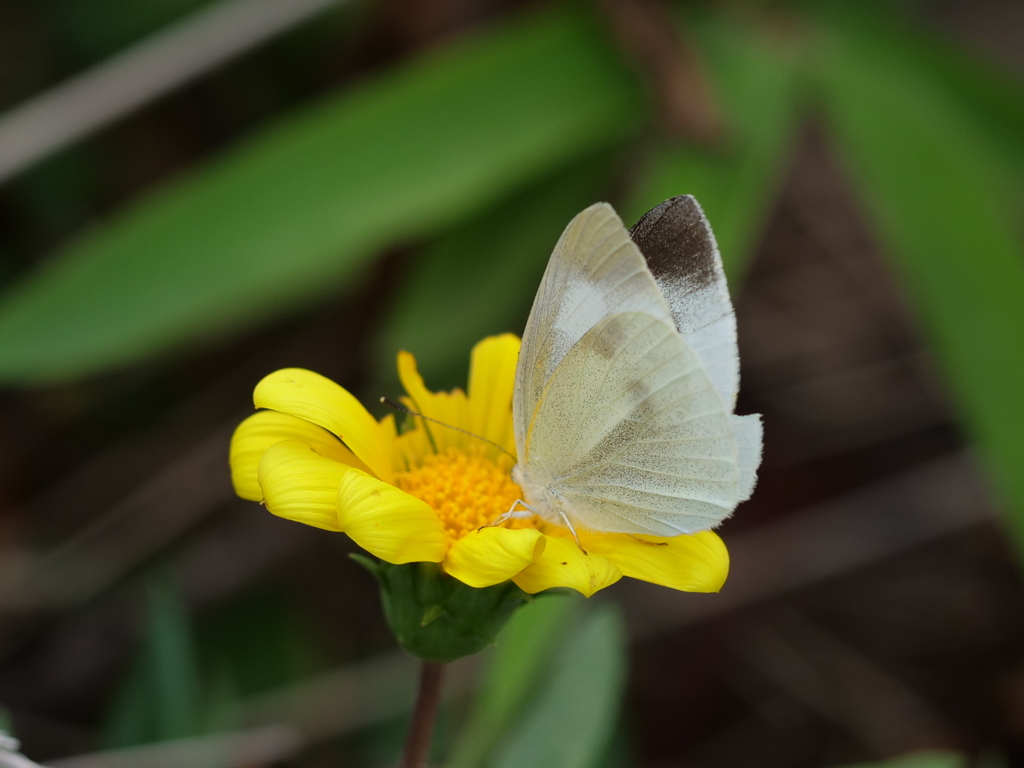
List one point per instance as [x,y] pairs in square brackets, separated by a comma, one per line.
[492,378]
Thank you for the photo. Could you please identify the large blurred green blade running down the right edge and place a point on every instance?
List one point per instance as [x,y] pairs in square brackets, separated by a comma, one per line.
[933,189]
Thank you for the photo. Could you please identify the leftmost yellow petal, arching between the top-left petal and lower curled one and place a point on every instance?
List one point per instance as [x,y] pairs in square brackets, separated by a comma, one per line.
[264,430]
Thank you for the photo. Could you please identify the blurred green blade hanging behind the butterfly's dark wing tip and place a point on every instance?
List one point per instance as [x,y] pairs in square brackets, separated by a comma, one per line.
[755,81]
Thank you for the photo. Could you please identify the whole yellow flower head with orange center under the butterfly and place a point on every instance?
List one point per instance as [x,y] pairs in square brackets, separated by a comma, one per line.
[314,454]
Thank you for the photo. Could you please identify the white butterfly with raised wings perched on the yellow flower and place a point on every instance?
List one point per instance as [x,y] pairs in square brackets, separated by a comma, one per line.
[627,380]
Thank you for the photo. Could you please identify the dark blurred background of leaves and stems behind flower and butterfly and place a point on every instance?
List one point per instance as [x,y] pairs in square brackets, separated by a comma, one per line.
[196,193]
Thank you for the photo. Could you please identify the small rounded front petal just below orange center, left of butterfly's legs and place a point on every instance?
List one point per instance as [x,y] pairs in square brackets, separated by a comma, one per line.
[493,556]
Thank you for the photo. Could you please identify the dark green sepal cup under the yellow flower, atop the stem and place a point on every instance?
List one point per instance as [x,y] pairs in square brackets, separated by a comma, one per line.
[436,617]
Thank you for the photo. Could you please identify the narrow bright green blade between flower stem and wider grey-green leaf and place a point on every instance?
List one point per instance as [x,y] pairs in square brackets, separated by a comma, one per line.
[524,653]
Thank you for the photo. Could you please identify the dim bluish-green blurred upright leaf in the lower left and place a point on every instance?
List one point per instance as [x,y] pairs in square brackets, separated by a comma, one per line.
[162,697]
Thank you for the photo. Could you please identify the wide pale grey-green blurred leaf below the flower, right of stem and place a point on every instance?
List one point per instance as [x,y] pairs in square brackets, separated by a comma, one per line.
[573,718]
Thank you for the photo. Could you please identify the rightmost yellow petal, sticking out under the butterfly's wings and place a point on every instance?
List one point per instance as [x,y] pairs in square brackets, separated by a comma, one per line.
[697,563]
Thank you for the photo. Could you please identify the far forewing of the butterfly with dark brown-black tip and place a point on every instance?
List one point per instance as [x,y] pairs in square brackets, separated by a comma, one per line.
[680,250]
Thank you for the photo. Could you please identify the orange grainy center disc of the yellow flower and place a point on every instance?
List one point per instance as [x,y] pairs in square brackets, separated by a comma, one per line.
[465,490]
